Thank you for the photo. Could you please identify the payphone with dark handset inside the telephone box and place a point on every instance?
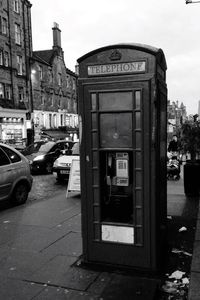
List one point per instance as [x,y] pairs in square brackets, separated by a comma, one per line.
[117,169]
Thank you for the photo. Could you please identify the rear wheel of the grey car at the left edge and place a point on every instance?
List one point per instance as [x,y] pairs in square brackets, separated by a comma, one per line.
[20,194]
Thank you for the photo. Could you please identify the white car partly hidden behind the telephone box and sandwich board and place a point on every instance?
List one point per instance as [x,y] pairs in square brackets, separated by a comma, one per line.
[62,165]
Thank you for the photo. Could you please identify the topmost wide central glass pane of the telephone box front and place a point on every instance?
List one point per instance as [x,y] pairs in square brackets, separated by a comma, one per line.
[116,101]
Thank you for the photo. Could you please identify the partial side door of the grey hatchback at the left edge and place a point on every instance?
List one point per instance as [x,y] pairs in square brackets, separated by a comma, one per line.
[7,175]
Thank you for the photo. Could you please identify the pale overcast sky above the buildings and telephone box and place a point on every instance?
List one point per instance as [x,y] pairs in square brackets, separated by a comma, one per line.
[87,25]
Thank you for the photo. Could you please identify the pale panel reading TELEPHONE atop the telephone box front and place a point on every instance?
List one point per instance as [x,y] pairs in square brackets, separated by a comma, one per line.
[120,68]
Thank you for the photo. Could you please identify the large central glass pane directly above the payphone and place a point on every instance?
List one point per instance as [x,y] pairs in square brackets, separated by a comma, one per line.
[116,130]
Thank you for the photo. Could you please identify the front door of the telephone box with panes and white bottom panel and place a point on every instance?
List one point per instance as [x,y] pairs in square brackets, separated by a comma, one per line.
[118,205]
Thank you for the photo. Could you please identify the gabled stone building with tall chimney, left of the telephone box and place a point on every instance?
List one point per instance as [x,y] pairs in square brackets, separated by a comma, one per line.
[54,90]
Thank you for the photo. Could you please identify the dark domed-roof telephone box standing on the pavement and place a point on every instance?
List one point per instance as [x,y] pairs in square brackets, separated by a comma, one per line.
[123,114]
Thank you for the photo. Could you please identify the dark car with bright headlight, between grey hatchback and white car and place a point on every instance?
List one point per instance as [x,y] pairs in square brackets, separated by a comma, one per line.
[43,159]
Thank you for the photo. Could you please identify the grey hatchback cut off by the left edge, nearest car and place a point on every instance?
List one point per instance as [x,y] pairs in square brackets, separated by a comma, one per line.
[15,178]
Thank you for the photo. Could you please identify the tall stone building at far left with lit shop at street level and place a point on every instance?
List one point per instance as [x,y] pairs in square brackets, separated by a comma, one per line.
[15,85]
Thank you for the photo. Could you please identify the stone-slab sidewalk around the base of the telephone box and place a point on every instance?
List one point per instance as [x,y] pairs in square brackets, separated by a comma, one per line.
[40,249]
